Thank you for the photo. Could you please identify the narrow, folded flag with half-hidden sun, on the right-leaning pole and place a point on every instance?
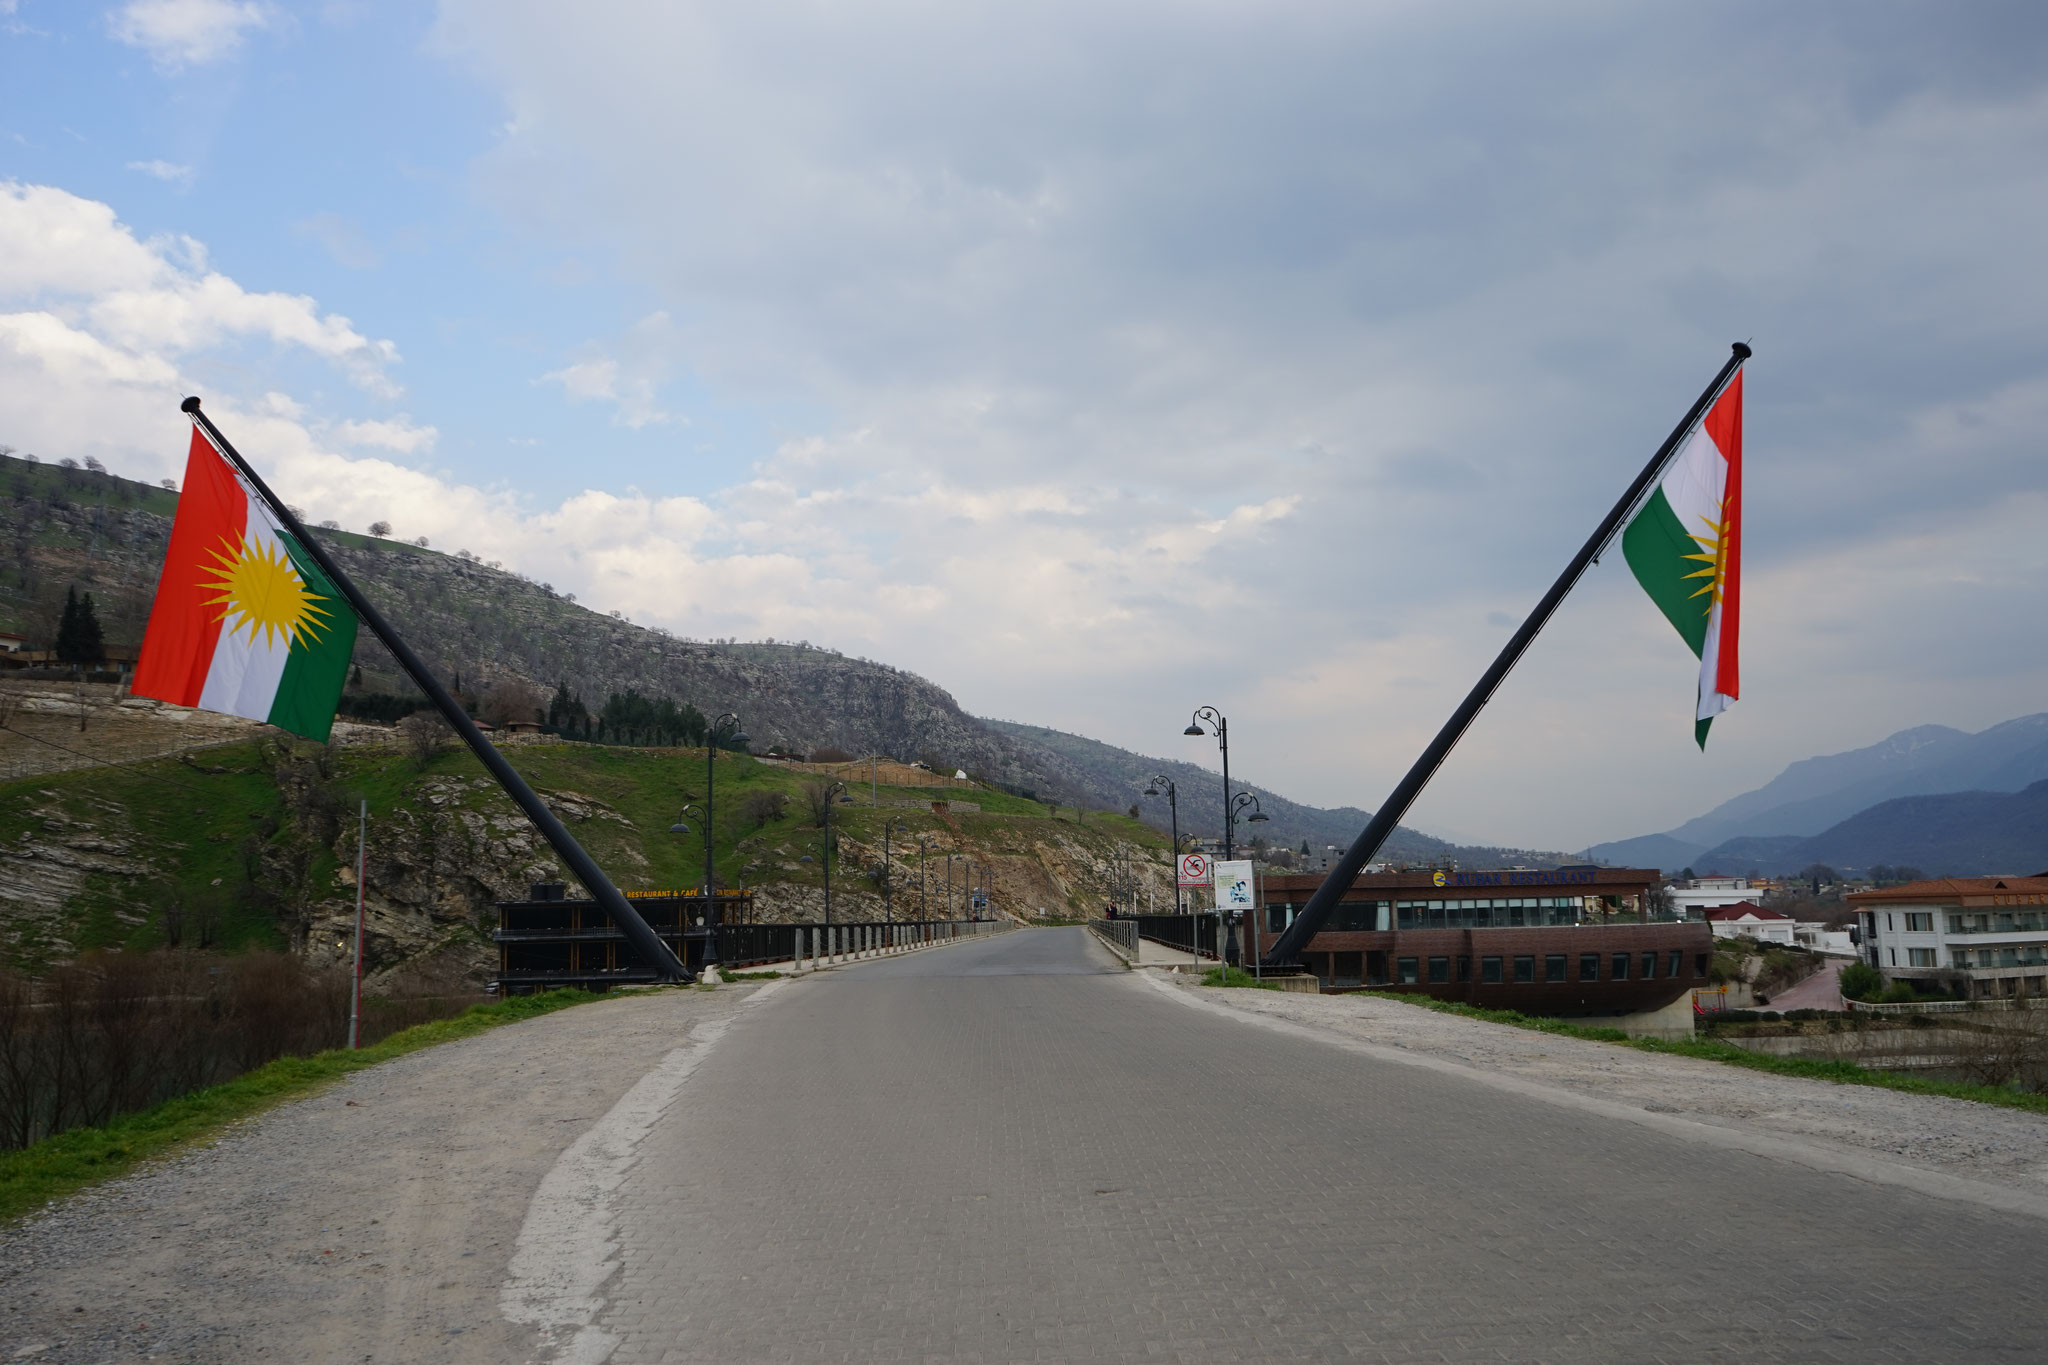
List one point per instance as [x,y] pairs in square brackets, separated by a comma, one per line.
[1687,549]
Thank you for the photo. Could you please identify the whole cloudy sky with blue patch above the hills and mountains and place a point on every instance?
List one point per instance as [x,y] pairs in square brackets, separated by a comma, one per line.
[1105,361]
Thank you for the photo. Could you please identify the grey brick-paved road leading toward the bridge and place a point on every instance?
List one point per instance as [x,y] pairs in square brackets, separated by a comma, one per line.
[1015,1151]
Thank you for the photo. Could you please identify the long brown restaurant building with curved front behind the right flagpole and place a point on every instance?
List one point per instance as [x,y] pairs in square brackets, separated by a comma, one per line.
[1547,942]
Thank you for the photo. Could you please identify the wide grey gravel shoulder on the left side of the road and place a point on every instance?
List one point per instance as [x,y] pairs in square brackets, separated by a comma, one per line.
[370,1223]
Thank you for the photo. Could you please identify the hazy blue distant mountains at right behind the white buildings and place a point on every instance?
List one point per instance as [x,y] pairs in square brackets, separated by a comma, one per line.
[1877,805]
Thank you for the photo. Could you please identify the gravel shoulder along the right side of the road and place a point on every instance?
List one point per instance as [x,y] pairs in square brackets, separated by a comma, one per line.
[1924,1133]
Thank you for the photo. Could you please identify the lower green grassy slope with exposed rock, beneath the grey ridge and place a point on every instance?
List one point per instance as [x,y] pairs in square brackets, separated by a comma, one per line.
[255,842]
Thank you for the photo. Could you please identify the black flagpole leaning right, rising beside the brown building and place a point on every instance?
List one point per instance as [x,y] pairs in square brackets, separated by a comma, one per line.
[1390,816]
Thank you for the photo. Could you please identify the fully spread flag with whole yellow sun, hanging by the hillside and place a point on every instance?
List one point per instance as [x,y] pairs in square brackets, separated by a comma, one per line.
[245,621]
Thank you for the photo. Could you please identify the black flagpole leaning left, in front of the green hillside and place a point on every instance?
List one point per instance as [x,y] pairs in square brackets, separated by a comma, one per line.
[581,865]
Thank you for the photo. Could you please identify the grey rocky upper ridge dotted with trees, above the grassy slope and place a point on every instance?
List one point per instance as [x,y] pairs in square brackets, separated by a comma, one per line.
[105,535]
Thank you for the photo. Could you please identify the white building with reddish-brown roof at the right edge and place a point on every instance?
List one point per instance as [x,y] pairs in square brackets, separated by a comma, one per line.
[1990,930]
